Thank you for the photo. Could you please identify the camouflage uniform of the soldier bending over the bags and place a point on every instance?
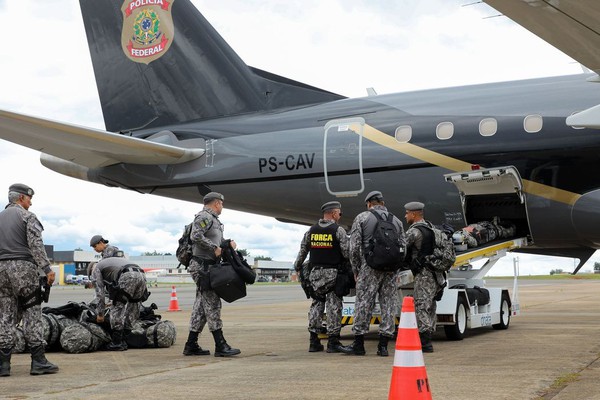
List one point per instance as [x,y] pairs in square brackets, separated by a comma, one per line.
[130,279]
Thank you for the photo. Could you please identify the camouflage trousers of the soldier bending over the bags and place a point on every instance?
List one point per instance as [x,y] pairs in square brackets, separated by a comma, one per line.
[122,315]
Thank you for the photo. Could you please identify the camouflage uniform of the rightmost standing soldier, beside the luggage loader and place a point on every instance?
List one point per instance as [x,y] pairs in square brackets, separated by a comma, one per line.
[426,283]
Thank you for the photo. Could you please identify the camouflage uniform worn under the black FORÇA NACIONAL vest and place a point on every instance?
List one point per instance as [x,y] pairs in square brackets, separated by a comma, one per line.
[323,282]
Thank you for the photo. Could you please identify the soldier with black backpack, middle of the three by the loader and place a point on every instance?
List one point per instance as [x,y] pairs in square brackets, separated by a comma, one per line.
[371,282]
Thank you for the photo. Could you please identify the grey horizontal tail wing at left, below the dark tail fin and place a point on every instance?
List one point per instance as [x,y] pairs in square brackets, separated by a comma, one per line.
[87,147]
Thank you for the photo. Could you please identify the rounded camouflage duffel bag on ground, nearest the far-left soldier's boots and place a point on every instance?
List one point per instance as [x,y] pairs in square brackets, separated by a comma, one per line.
[83,337]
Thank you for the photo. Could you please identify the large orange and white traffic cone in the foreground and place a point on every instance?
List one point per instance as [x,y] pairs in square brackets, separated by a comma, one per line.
[409,377]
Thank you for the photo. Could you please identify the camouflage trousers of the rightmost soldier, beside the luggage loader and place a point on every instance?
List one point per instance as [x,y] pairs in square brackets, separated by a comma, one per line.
[425,289]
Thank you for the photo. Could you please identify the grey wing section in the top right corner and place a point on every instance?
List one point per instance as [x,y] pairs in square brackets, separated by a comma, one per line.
[572,26]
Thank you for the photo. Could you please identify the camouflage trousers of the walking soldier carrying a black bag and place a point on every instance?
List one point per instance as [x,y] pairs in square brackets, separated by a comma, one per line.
[207,305]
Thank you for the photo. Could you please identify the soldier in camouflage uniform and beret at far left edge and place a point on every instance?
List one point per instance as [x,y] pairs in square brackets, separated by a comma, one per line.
[22,258]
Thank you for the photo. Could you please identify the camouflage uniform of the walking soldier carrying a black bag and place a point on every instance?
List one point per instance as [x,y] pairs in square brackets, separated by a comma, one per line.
[207,235]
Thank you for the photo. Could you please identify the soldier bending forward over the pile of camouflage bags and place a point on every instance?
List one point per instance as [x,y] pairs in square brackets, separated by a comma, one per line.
[125,283]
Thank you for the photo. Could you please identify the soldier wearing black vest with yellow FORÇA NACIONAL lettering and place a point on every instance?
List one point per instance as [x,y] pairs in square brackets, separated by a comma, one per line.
[327,243]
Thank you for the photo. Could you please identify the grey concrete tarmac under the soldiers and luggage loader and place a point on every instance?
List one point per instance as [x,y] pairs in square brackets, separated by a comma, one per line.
[550,351]
